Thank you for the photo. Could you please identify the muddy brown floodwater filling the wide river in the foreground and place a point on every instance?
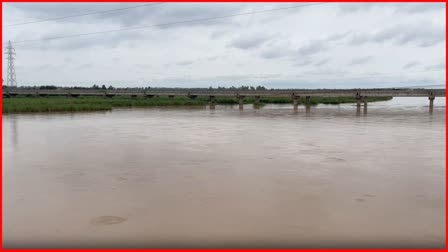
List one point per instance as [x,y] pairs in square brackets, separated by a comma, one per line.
[195,177]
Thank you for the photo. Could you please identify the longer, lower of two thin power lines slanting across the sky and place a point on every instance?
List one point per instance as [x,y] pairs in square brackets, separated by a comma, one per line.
[167,24]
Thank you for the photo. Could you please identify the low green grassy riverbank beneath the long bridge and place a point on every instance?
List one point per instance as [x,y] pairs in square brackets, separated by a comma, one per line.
[63,104]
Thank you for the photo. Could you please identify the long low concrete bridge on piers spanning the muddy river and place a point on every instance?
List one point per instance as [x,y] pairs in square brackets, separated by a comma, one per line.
[295,94]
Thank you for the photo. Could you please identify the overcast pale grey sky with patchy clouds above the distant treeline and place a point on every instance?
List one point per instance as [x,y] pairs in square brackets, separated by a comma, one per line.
[331,45]
